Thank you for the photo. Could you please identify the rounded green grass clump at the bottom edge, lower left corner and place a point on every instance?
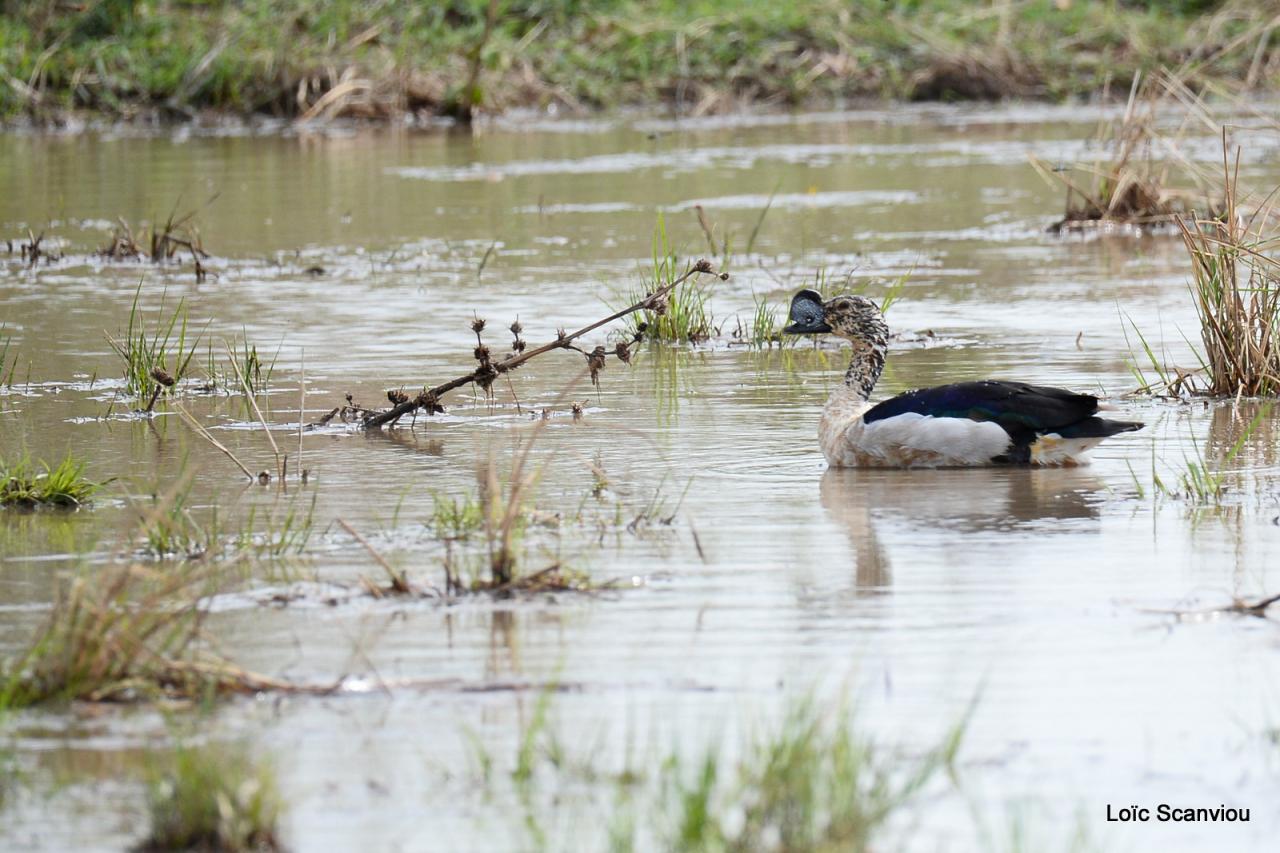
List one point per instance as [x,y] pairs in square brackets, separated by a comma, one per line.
[213,799]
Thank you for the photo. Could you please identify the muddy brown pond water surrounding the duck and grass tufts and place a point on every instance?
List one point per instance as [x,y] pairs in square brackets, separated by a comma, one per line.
[1032,597]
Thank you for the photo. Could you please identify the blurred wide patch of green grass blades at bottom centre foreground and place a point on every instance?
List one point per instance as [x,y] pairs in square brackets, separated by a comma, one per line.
[811,782]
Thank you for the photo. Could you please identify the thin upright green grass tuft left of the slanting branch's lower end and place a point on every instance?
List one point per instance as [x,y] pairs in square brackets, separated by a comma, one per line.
[154,363]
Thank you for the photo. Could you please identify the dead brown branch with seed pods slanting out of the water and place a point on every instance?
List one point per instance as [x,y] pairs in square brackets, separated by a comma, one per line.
[491,371]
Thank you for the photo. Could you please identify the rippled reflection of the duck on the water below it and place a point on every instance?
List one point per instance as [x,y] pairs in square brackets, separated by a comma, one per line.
[972,501]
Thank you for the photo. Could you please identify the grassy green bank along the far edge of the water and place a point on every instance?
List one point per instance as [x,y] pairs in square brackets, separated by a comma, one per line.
[385,58]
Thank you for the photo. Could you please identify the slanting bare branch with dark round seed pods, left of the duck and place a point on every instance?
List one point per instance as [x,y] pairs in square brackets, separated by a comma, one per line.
[490,370]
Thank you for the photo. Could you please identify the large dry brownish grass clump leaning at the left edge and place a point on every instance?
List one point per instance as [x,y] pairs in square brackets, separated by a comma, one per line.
[126,632]
